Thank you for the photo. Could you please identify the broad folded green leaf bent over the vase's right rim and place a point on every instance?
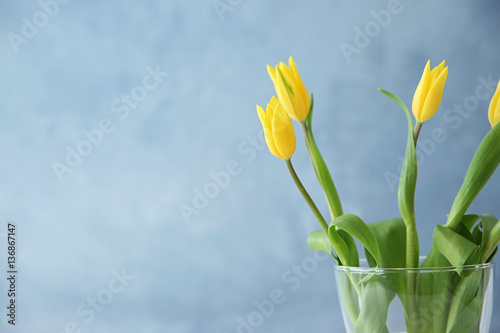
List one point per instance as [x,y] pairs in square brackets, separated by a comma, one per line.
[457,249]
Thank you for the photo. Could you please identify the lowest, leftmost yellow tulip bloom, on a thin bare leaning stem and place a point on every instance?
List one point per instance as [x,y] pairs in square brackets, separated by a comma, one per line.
[278,129]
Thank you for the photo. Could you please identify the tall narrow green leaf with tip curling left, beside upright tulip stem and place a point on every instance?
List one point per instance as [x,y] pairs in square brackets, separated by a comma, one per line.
[407,183]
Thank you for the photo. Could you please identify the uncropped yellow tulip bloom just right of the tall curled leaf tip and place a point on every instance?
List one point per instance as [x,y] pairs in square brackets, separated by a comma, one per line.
[429,92]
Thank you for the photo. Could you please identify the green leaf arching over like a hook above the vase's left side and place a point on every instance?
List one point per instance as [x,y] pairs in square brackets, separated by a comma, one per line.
[358,229]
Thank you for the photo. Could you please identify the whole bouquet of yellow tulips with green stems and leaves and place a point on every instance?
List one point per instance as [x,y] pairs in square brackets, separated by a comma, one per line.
[463,240]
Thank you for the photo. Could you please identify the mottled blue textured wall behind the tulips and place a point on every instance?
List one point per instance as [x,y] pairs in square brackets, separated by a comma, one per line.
[118,210]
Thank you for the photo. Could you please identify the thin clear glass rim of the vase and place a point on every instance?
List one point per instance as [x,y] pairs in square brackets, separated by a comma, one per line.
[379,270]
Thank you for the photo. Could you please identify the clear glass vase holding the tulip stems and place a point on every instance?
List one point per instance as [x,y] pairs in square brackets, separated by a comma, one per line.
[419,300]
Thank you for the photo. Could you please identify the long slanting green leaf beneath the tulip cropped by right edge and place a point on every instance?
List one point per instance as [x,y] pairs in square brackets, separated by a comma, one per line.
[484,163]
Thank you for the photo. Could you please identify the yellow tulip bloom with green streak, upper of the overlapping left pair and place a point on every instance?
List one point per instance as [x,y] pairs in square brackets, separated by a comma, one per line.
[290,89]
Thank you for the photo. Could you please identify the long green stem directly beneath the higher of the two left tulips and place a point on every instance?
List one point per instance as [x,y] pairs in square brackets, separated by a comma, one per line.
[331,194]
